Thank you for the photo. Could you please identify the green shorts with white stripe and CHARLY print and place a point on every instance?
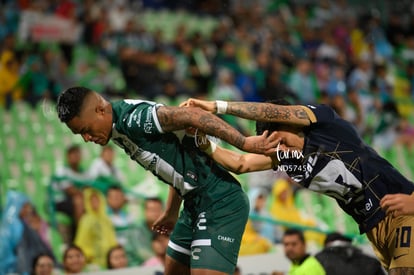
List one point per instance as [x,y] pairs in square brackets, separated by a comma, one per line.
[210,238]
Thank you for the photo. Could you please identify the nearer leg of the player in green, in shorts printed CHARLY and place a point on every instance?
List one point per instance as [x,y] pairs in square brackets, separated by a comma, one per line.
[217,235]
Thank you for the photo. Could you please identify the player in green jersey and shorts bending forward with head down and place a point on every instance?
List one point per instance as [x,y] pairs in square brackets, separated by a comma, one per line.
[206,237]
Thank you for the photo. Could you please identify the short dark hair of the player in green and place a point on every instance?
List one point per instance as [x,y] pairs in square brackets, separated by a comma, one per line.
[70,102]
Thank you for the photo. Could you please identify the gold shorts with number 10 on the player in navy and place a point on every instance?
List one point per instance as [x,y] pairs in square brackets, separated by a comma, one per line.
[393,241]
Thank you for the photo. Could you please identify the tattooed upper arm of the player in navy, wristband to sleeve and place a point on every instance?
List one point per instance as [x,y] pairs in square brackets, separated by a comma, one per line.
[294,114]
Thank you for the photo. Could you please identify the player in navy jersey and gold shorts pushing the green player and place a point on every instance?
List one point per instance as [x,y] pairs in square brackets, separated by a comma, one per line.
[324,153]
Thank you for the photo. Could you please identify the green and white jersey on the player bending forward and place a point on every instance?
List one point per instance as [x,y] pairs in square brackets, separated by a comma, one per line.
[172,157]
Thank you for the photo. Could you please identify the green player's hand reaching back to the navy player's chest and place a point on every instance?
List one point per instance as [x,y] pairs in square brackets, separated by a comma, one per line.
[263,144]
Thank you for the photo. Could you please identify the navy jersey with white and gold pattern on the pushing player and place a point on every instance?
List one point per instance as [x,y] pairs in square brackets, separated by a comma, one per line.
[338,163]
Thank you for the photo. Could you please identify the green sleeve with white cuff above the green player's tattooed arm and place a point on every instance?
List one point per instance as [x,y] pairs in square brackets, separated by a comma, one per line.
[143,120]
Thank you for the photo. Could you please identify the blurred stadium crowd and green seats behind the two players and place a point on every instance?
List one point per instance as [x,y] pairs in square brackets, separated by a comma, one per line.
[358,58]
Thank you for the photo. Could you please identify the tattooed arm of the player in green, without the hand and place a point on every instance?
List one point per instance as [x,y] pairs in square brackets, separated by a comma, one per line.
[175,118]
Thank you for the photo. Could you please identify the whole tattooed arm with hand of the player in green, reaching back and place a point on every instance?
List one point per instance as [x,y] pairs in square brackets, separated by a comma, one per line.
[175,118]
